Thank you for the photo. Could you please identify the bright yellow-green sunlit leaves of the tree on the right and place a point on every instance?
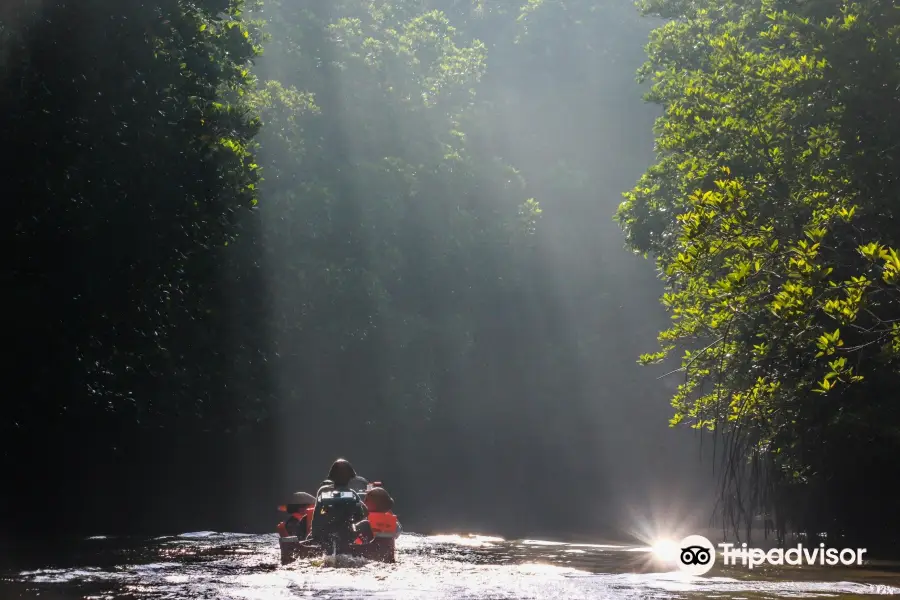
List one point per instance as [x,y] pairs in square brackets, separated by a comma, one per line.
[761,210]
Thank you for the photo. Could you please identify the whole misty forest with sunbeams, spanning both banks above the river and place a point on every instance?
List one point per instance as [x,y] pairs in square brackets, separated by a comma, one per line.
[248,233]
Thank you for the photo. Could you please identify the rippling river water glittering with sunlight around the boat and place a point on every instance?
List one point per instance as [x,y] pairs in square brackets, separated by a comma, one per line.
[225,566]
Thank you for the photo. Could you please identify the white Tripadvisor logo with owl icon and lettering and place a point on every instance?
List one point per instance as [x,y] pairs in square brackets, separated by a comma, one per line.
[697,556]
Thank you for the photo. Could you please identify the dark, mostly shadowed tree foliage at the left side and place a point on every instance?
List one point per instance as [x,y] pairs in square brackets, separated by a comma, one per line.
[136,146]
